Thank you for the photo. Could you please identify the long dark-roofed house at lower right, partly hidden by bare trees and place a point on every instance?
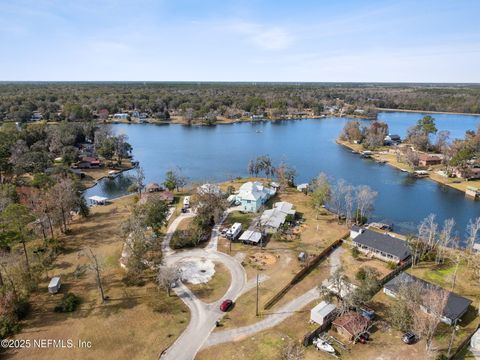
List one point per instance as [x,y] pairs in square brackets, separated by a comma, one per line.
[455,307]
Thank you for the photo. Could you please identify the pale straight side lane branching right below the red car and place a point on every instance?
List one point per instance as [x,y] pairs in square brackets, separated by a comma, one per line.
[270,321]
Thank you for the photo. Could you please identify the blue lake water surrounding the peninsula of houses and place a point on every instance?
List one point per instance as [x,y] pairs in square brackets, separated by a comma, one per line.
[221,152]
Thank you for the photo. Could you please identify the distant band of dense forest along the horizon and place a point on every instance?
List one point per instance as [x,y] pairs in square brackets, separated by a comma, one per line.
[85,100]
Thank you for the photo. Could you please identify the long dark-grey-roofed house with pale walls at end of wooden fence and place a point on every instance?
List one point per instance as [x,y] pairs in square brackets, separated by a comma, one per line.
[382,246]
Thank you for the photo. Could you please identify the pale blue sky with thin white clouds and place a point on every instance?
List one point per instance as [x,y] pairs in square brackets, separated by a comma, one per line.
[270,40]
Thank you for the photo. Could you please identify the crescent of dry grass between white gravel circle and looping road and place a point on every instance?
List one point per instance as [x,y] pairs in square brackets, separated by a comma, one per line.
[215,288]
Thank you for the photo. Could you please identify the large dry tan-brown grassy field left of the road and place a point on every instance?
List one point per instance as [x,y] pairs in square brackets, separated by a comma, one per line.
[136,322]
